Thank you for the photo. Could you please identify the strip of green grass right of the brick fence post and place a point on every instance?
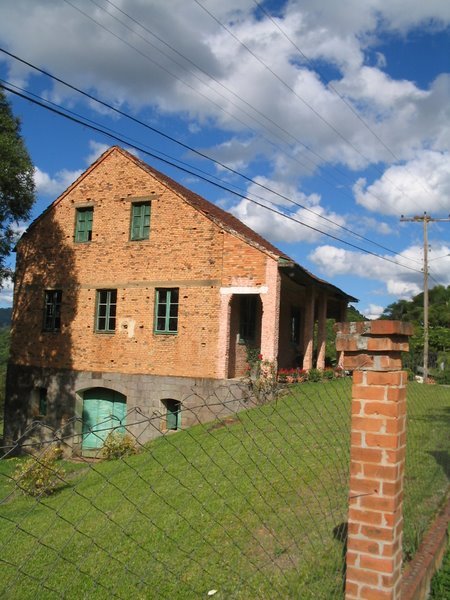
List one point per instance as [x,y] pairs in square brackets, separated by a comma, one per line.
[427,467]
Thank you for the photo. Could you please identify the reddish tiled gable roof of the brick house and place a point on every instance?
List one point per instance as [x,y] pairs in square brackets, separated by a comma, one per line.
[221,217]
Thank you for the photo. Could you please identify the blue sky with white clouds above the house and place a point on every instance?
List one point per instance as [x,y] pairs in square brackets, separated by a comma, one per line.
[337,114]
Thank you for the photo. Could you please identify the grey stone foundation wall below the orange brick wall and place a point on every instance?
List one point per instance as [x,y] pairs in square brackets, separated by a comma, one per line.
[202,400]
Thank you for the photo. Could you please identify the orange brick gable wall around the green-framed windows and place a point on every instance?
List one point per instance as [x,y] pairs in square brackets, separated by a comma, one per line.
[185,249]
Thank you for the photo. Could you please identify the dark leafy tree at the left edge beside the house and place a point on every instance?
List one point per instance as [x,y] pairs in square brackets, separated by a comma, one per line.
[16,181]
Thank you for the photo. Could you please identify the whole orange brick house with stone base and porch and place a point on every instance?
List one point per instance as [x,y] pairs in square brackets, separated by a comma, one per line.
[132,291]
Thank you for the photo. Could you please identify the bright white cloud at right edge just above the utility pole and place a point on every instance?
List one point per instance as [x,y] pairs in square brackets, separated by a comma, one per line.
[422,184]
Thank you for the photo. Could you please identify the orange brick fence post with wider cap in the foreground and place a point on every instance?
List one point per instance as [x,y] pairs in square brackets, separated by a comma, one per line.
[372,350]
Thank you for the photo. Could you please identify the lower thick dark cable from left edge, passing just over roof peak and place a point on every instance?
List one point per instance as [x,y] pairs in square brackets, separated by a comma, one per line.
[118,138]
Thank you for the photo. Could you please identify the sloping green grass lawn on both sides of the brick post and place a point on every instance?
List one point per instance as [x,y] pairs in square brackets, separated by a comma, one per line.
[251,507]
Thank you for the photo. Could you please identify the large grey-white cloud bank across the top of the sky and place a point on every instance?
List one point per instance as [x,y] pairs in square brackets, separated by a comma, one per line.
[250,96]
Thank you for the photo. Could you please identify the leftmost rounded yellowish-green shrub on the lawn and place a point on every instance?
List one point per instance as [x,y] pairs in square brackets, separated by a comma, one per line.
[40,474]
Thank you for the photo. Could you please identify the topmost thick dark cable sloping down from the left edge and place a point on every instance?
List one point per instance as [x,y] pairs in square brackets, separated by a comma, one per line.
[203,155]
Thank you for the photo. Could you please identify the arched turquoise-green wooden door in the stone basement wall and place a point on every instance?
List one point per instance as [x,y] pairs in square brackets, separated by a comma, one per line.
[103,410]
